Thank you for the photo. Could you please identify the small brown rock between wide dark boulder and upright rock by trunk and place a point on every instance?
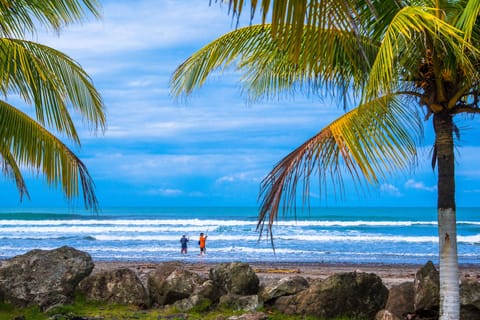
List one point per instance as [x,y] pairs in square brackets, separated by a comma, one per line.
[401,299]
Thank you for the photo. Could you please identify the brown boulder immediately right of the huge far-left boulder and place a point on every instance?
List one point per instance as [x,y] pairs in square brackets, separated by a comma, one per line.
[120,286]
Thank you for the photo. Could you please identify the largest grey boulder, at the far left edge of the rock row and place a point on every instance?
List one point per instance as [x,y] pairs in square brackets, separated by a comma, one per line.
[46,278]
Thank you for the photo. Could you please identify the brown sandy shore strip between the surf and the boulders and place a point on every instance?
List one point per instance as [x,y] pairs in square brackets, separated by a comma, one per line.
[391,274]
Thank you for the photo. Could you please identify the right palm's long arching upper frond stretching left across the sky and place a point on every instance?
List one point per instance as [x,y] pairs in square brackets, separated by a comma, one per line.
[268,70]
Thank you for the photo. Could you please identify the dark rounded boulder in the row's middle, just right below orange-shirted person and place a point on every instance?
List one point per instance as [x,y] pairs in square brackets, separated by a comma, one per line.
[236,277]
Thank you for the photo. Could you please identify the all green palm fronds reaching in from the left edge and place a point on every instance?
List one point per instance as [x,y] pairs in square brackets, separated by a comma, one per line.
[54,85]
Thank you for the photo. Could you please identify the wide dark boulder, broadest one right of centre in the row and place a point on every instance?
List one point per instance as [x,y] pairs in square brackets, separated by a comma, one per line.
[355,295]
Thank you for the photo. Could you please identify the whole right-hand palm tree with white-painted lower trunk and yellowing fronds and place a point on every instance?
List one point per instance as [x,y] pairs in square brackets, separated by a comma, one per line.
[392,61]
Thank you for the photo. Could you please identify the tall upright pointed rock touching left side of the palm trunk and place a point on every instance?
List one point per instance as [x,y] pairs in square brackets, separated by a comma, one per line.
[426,291]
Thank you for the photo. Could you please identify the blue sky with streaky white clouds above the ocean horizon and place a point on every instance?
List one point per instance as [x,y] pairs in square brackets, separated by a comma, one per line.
[214,148]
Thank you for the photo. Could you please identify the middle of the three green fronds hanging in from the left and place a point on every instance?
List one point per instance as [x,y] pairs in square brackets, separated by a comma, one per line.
[52,82]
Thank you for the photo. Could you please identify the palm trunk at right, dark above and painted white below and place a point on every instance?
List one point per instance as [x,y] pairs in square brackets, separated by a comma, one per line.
[447,226]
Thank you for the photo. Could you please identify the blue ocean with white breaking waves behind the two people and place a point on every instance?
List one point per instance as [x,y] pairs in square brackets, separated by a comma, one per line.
[325,235]
